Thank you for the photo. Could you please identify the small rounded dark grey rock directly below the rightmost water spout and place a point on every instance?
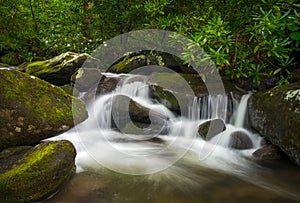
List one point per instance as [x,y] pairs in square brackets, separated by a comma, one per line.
[240,140]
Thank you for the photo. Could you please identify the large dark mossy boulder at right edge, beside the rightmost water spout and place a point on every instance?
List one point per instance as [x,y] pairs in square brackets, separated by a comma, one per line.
[275,114]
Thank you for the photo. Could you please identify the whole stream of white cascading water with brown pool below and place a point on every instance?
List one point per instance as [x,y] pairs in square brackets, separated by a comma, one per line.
[177,167]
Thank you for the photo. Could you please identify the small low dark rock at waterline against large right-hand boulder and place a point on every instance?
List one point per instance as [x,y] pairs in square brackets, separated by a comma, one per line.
[269,152]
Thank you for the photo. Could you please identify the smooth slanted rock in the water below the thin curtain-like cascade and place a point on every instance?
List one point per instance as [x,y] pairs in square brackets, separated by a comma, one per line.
[211,128]
